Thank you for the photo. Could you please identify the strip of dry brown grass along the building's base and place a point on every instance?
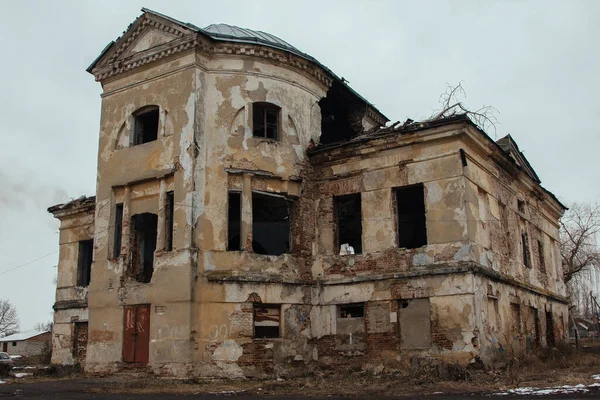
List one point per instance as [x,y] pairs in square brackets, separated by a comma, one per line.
[547,368]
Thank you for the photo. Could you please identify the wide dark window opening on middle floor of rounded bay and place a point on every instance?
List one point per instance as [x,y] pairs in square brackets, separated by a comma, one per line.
[270,224]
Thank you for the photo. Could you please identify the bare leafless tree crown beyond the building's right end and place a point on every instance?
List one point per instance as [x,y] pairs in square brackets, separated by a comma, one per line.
[578,243]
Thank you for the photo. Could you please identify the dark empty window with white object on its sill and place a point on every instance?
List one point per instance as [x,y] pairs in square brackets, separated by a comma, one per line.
[349,223]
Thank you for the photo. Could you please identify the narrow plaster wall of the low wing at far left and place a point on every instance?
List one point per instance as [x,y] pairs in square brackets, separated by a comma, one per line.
[71,300]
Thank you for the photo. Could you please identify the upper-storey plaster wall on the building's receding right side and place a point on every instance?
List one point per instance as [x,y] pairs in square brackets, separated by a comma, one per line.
[496,223]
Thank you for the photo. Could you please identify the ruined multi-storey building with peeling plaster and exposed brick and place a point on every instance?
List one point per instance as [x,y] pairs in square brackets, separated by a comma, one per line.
[254,216]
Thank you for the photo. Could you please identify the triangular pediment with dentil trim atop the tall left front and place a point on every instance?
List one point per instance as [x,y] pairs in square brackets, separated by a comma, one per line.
[149,35]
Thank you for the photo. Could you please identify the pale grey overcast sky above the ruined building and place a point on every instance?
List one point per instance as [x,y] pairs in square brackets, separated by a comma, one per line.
[537,62]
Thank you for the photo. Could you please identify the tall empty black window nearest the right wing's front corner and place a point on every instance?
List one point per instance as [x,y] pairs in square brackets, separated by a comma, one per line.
[410,203]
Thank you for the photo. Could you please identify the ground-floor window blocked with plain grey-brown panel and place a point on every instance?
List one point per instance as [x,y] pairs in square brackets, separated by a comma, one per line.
[414,323]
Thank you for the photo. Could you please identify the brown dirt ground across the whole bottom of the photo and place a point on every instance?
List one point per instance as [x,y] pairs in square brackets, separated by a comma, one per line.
[549,368]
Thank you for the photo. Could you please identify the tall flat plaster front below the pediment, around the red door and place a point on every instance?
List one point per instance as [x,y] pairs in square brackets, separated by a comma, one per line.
[138,176]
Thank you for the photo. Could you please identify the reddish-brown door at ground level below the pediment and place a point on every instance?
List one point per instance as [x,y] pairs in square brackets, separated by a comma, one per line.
[136,334]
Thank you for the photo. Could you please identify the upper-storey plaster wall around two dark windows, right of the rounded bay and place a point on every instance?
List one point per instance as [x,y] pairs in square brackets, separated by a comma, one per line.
[374,170]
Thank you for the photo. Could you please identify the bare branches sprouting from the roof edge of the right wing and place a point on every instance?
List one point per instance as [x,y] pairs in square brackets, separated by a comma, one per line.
[484,117]
